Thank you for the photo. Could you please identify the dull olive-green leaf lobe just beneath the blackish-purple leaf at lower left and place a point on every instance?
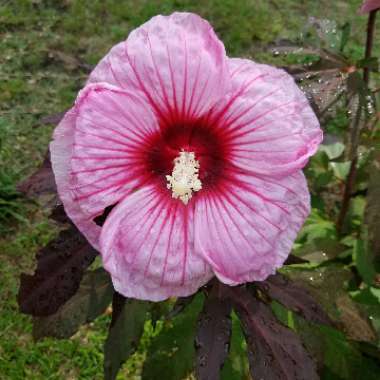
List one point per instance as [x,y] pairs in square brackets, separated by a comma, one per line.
[90,301]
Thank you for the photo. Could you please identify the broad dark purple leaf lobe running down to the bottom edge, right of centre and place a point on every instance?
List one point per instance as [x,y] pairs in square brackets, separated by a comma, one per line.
[274,351]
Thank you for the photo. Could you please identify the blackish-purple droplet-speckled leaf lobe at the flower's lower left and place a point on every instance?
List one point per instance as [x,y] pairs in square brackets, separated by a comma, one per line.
[60,267]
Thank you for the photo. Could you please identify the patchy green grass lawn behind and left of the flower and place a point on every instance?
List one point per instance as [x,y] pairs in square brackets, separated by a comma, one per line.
[41,43]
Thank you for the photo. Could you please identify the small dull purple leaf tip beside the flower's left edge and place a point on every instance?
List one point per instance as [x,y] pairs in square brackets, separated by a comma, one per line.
[40,182]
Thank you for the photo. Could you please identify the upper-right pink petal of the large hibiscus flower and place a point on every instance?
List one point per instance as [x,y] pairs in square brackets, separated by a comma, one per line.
[267,121]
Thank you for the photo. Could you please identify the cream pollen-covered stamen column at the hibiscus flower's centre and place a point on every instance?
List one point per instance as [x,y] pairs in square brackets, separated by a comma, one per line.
[184,179]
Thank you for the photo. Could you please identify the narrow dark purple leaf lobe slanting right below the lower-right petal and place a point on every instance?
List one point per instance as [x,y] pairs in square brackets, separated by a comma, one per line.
[294,297]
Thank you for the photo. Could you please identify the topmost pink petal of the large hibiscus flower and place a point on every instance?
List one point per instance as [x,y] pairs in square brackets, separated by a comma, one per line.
[177,61]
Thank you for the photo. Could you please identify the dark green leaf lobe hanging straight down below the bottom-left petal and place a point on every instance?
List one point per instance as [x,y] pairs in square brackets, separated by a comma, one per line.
[126,328]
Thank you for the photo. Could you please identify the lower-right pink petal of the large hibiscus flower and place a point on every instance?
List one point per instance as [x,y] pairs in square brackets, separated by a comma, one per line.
[246,229]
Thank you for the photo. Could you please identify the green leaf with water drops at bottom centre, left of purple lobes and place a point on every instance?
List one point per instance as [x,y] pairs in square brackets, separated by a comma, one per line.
[171,354]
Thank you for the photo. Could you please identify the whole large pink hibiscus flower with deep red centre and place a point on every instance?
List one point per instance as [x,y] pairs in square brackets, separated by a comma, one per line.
[199,154]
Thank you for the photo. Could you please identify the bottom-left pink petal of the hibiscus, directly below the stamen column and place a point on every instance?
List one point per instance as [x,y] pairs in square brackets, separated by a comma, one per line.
[147,245]
